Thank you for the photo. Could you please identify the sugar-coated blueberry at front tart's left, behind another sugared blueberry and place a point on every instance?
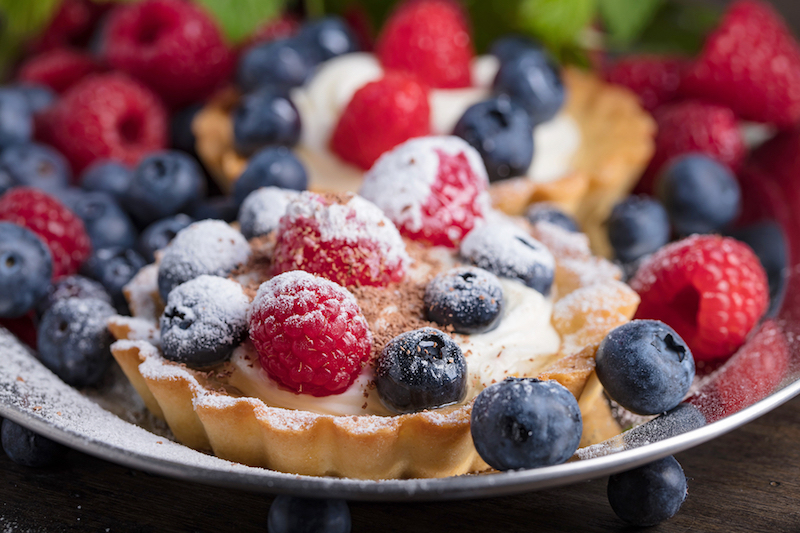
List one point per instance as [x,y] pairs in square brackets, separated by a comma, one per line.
[207,247]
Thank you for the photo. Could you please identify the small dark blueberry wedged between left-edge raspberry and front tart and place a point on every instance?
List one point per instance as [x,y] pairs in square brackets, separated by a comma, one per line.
[114,268]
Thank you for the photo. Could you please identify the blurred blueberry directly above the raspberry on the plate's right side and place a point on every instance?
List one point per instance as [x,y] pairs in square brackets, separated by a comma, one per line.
[700,195]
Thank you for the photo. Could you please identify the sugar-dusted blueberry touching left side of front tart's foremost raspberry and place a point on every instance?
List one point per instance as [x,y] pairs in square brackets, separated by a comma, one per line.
[204,320]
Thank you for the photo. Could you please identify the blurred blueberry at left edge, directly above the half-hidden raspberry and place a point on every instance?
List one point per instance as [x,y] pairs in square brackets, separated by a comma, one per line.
[36,165]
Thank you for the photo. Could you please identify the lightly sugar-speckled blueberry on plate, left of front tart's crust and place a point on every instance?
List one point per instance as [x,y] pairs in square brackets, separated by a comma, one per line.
[74,342]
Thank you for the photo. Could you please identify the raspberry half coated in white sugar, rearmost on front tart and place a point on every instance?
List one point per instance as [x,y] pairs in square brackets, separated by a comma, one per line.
[432,188]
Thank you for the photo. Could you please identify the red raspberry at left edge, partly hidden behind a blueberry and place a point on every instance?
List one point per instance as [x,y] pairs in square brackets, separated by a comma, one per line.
[60,229]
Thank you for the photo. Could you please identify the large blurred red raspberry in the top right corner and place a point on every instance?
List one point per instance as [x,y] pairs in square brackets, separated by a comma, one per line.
[751,63]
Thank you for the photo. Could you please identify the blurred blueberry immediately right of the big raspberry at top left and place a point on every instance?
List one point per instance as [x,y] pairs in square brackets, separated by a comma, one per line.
[282,63]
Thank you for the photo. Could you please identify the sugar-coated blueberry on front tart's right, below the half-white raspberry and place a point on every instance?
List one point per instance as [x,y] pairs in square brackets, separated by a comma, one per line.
[509,252]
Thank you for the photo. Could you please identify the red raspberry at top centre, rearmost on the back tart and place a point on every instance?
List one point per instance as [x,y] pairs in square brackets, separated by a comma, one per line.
[431,39]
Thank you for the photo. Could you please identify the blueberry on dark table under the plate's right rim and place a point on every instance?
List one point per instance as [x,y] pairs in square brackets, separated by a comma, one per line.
[649,494]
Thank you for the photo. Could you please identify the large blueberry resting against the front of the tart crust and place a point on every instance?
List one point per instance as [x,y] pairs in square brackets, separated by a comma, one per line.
[525,423]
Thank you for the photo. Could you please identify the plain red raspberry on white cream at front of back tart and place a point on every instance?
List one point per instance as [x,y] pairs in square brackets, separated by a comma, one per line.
[361,135]
